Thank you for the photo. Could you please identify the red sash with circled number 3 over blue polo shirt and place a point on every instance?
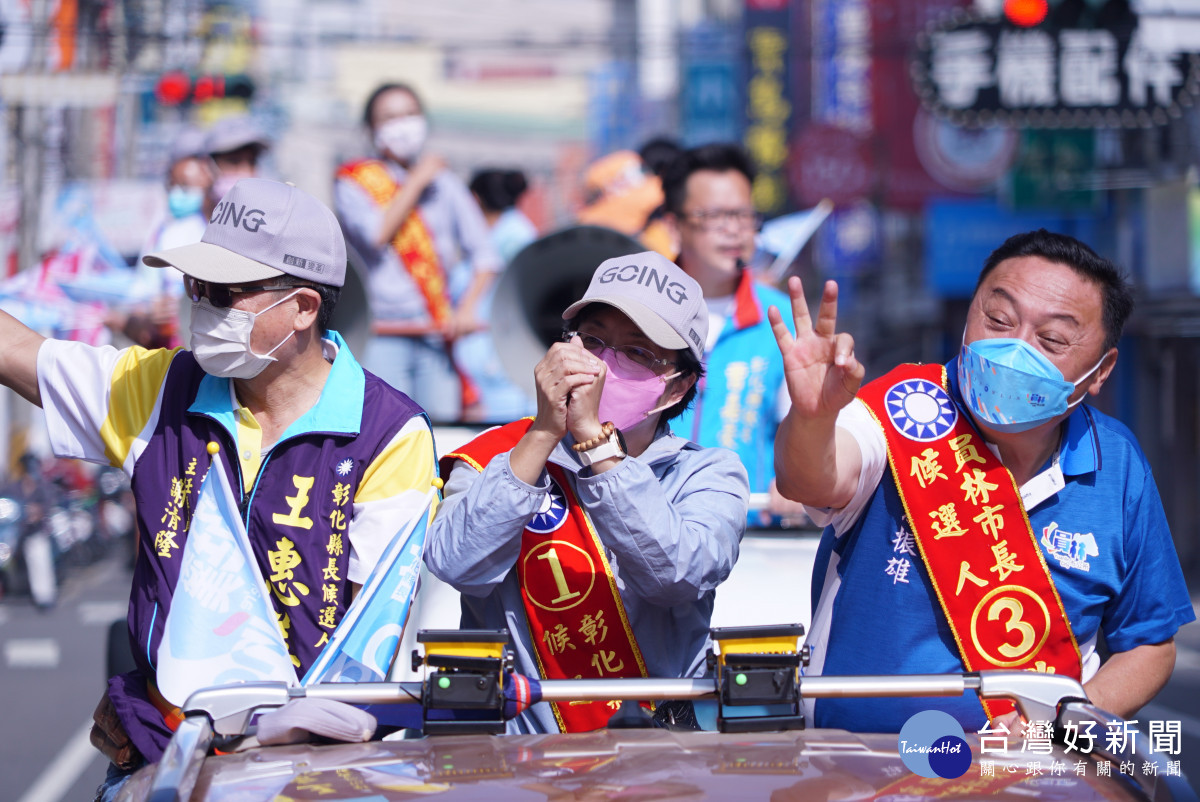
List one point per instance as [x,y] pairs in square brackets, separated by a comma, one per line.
[971,530]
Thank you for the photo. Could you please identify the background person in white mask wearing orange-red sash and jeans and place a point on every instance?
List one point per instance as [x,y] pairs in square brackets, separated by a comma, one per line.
[412,220]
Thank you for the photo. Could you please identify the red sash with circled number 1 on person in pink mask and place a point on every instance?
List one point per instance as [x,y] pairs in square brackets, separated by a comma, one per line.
[578,623]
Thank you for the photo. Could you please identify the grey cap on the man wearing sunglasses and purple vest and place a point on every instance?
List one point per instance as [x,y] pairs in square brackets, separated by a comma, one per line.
[262,230]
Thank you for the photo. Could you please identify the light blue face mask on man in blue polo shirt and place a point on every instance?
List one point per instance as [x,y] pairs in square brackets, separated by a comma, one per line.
[1011,387]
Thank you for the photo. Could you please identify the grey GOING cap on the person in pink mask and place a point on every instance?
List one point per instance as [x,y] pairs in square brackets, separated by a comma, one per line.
[663,301]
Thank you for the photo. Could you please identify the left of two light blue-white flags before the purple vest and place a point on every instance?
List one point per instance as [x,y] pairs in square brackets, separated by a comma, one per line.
[221,626]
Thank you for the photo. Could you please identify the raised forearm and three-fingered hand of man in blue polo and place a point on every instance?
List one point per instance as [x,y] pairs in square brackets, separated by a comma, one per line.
[817,463]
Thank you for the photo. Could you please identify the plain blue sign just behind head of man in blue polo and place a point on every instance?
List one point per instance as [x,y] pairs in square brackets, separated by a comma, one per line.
[961,235]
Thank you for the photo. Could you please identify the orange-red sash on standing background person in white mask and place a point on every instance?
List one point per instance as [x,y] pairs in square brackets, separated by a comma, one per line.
[415,247]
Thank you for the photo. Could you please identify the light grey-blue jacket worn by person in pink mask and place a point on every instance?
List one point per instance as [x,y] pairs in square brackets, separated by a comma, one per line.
[671,522]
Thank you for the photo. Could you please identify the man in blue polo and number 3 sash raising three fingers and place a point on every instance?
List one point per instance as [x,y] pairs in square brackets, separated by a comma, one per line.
[928,564]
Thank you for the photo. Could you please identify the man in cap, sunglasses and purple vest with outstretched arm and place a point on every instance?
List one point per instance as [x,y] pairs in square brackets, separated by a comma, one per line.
[323,487]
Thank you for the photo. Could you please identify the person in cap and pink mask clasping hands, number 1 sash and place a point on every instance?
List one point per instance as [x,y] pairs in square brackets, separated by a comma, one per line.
[646,525]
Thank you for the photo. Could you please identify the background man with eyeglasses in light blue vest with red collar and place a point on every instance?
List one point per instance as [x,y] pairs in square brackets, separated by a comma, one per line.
[711,216]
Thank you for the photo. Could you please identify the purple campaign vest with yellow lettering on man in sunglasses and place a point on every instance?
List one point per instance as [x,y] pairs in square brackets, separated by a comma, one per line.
[297,516]
